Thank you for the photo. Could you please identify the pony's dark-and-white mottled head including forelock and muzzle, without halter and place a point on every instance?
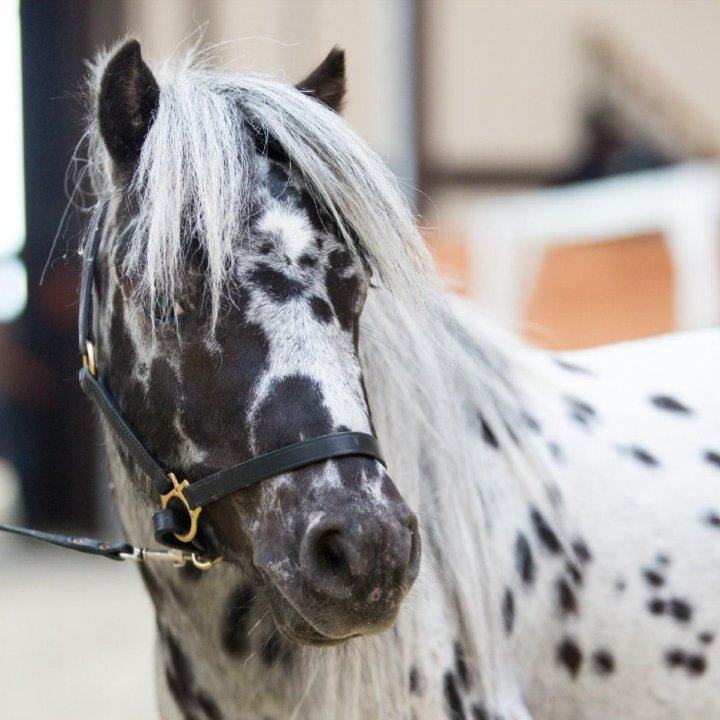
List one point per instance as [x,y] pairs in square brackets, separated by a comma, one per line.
[229,301]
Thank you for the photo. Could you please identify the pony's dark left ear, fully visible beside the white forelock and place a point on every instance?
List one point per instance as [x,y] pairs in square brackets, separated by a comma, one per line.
[128,100]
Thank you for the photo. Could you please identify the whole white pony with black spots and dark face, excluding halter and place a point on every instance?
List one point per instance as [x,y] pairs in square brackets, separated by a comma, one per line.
[545,541]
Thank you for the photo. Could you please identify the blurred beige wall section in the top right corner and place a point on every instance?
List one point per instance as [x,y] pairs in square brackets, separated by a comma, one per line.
[505,78]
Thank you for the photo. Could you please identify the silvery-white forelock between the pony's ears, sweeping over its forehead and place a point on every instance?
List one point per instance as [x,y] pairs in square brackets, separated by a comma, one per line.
[196,178]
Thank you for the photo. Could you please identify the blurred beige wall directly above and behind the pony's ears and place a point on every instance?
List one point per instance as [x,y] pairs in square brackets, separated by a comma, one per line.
[289,38]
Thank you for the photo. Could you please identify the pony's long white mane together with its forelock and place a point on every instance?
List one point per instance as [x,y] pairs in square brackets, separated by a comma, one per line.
[426,376]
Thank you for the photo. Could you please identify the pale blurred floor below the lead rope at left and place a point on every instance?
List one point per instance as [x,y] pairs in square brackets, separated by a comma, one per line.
[76,637]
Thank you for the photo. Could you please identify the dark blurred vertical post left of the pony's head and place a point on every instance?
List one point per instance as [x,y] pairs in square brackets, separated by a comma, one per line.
[55,420]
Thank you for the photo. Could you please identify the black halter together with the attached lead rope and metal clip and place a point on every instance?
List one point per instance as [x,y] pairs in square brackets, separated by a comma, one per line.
[181,502]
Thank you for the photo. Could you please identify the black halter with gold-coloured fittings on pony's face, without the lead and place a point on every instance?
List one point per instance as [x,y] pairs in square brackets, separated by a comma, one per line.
[175,524]
